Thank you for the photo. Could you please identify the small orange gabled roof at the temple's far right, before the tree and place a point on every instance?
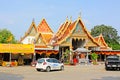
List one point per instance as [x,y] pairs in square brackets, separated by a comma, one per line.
[101,41]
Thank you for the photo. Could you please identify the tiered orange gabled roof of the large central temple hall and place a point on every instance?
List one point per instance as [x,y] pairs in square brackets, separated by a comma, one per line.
[66,31]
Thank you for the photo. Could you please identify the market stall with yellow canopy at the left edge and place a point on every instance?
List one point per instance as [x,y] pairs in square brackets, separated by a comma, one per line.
[14,54]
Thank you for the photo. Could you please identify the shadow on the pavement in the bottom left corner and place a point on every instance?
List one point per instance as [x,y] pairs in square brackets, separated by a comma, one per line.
[6,76]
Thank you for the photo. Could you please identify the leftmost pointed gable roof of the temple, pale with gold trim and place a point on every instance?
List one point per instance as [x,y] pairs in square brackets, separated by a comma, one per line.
[31,31]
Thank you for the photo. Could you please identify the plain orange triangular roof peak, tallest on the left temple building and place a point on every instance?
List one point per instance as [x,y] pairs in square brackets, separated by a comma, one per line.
[43,27]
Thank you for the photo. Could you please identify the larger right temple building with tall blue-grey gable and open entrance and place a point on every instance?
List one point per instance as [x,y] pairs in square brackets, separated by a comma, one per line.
[74,36]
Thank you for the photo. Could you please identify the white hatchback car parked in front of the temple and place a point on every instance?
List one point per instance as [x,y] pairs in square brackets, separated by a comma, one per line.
[49,64]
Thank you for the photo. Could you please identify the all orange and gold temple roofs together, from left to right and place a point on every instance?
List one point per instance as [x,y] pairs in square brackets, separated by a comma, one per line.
[43,34]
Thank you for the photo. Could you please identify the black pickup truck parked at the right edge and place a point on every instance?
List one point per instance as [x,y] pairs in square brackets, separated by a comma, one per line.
[112,62]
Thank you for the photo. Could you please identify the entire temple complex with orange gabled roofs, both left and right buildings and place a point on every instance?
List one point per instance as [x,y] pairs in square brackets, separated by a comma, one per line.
[72,36]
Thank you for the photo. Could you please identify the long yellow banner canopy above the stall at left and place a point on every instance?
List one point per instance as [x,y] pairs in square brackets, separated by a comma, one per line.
[16,48]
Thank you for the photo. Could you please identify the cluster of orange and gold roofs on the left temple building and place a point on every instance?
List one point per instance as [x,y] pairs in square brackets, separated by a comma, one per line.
[43,31]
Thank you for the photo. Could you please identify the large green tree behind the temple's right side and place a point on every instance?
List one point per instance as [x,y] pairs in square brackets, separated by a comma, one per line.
[109,33]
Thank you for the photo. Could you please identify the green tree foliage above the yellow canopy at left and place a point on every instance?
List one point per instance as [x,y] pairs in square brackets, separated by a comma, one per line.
[6,36]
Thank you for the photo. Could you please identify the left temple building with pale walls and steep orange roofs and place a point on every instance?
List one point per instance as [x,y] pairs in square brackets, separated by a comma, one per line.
[40,36]
